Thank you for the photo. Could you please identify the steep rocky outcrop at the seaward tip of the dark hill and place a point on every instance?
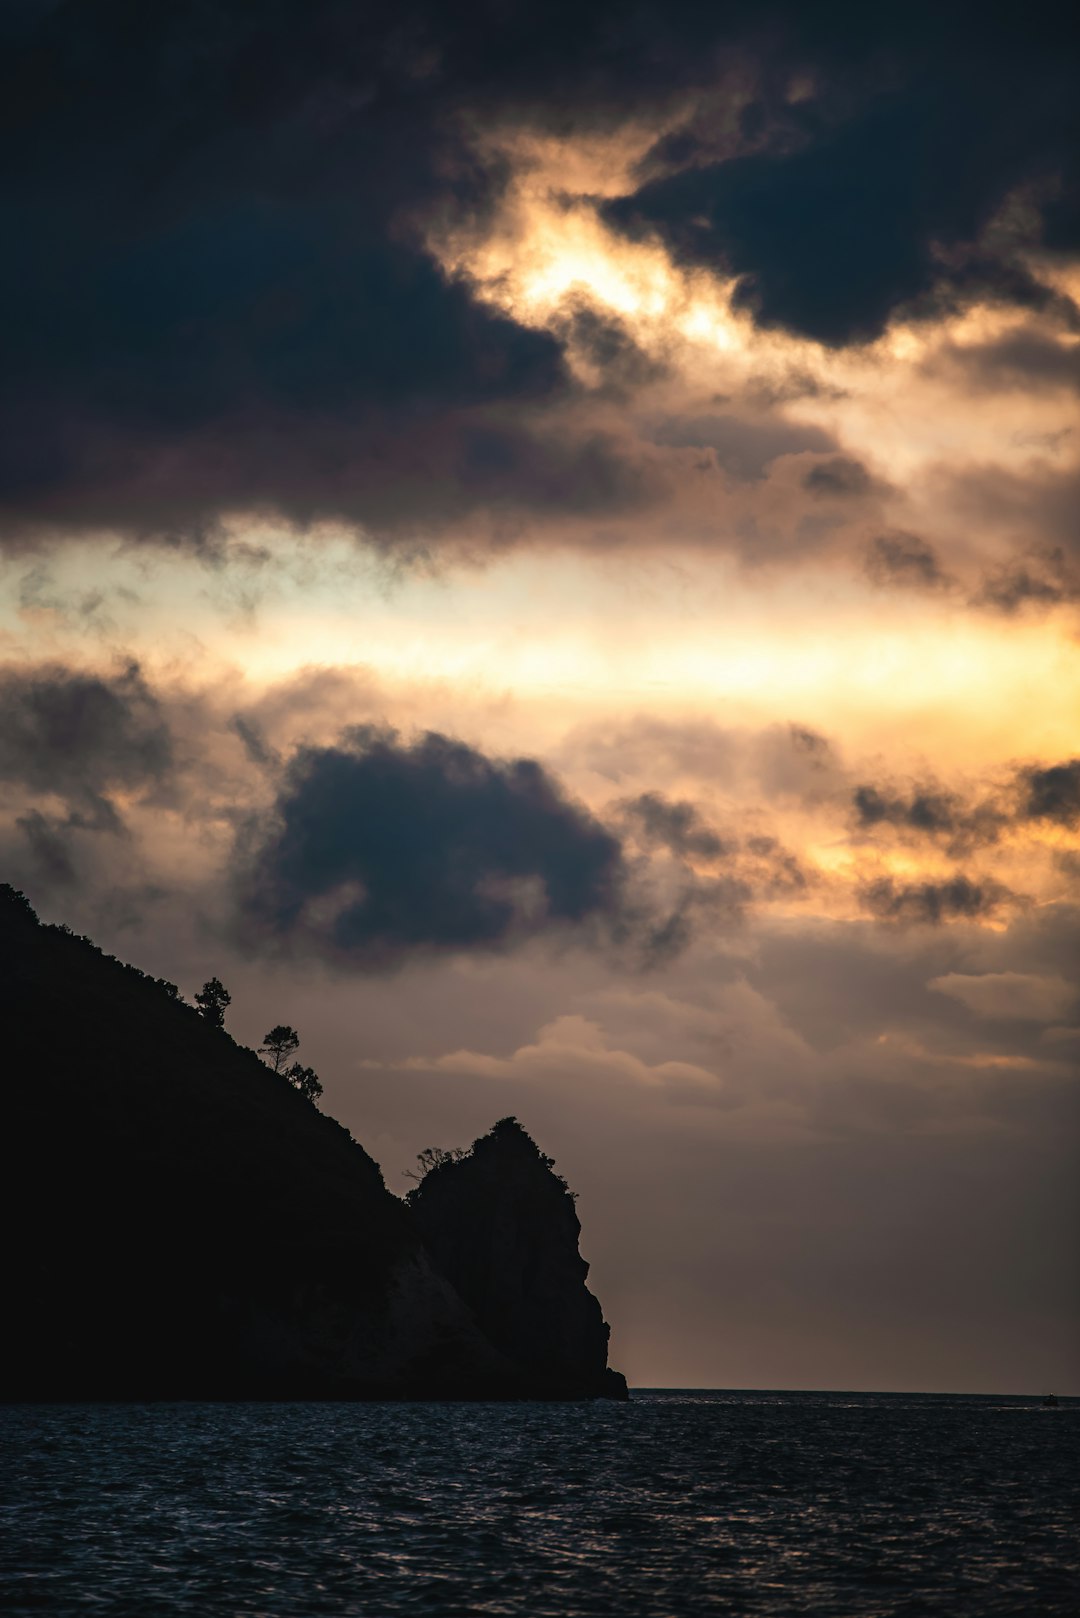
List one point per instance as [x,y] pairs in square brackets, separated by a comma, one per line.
[503,1227]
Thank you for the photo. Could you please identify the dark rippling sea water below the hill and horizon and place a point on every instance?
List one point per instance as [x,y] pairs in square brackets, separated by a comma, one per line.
[673,1506]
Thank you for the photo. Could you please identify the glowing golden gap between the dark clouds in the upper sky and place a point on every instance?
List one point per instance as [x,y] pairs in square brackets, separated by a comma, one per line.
[903,404]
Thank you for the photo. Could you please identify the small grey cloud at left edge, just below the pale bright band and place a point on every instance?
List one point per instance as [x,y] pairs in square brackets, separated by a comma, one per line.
[79,737]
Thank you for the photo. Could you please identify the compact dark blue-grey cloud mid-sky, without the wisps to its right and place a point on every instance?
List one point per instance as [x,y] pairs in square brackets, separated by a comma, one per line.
[378,850]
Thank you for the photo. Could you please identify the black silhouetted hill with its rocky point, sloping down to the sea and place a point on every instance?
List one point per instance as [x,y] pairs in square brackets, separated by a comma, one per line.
[182,1224]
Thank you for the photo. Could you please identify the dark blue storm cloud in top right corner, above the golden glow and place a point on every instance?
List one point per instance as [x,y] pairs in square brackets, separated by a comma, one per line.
[872,192]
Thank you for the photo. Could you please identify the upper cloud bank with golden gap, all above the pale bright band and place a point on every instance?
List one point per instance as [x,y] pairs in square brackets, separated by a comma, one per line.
[231,308]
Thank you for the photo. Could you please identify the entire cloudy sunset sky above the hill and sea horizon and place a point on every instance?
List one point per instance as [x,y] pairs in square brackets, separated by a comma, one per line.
[540,544]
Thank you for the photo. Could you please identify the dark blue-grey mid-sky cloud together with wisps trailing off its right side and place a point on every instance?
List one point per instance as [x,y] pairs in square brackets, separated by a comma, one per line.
[378,850]
